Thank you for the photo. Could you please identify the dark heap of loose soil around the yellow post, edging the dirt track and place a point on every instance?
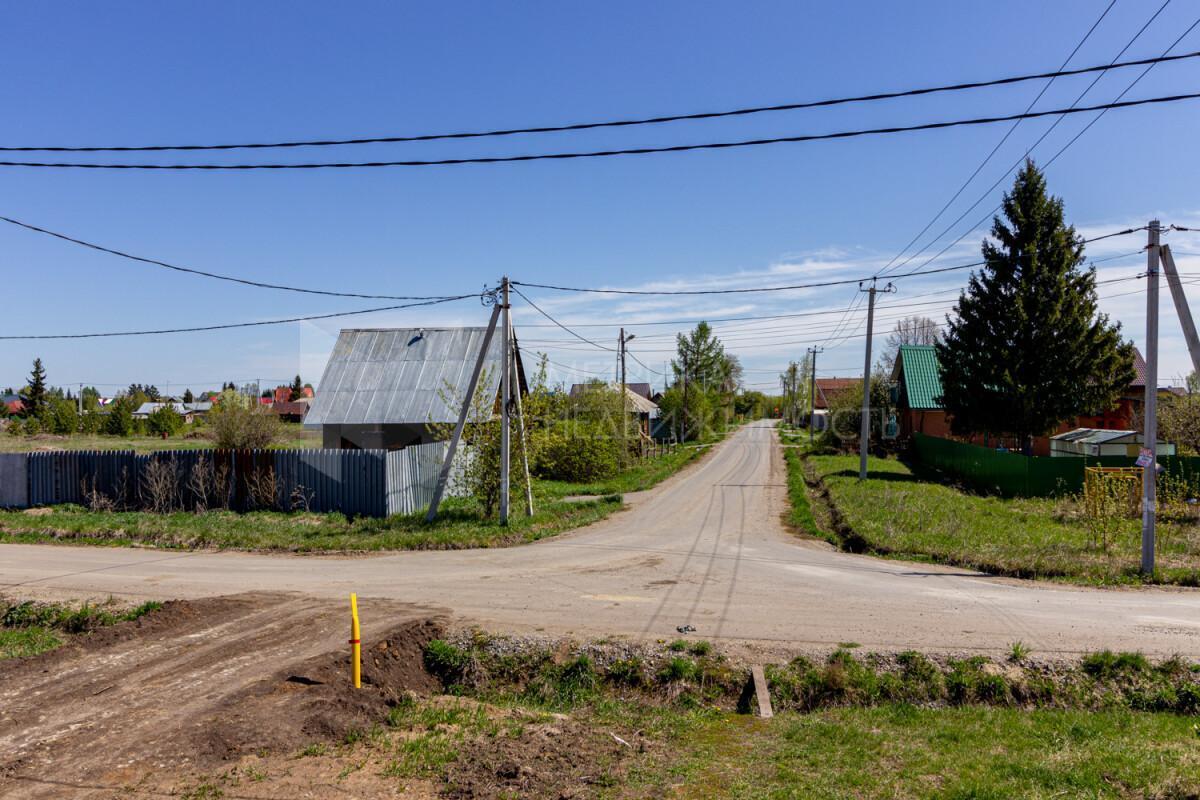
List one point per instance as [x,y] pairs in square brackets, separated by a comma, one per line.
[315,701]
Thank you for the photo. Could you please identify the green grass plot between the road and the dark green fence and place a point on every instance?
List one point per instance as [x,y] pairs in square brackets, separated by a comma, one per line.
[901,514]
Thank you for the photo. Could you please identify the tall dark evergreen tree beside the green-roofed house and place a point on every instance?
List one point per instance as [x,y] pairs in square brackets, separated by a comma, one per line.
[1027,348]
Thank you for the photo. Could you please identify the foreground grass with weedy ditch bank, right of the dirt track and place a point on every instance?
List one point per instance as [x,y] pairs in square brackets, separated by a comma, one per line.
[1108,726]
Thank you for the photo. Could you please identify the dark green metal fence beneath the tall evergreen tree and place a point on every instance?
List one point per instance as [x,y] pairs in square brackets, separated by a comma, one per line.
[1016,476]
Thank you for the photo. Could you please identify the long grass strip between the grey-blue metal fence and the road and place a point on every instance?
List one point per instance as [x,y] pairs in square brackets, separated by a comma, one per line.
[460,524]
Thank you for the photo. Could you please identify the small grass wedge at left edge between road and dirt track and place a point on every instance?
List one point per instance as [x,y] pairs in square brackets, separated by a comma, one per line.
[28,629]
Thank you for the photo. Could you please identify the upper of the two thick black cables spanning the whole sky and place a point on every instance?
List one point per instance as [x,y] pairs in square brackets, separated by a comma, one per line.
[610,124]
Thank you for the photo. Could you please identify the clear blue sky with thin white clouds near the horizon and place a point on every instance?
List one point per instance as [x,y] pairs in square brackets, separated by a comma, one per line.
[137,74]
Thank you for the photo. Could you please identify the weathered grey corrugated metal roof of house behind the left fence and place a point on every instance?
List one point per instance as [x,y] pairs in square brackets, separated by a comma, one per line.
[401,376]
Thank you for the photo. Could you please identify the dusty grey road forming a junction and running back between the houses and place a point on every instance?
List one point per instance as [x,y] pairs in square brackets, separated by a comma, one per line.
[706,549]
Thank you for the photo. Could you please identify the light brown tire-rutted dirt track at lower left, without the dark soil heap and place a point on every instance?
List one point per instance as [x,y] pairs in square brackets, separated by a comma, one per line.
[158,688]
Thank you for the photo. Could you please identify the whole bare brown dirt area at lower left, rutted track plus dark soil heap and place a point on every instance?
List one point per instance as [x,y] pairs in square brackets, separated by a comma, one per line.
[199,683]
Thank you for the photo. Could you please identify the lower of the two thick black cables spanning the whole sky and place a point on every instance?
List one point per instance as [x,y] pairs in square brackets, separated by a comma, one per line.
[626,152]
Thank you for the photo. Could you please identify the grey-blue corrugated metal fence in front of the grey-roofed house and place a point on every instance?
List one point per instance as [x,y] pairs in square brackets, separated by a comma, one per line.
[355,483]
